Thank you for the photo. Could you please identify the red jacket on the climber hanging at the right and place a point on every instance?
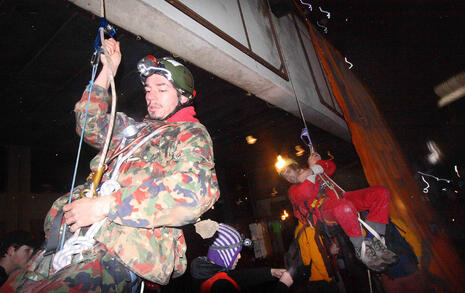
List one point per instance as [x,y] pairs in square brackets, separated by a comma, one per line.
[303,196]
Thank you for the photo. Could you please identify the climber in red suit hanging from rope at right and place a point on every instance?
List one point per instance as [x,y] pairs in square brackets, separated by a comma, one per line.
[314,196]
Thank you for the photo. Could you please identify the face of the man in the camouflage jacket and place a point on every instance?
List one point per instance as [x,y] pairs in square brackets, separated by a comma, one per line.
[161,97]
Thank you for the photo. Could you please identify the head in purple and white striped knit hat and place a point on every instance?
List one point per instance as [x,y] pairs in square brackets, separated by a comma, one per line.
[226,248]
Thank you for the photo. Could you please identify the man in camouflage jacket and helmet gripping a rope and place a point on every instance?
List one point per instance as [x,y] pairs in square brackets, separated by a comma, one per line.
[167,182]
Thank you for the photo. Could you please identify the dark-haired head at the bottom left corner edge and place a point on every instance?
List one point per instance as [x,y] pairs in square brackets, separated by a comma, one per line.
[15,250]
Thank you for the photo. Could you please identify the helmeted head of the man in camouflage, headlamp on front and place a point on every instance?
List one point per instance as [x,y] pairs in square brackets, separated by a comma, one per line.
[169,86]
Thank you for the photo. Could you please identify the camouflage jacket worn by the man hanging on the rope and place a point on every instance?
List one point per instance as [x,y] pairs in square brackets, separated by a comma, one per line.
[168,182]
